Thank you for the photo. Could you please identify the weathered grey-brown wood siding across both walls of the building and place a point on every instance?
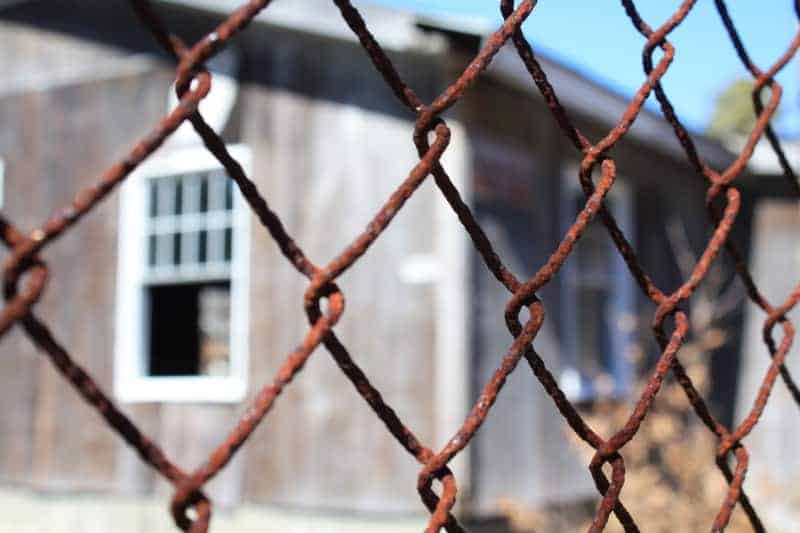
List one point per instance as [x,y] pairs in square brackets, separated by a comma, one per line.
[330,143]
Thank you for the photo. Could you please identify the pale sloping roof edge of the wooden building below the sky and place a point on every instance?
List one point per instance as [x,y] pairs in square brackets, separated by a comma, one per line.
[403,31]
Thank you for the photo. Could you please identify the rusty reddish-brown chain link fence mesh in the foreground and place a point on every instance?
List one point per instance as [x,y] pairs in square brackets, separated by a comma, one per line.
[25,274]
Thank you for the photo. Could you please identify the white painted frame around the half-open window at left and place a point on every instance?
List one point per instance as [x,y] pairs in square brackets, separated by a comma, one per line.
[130,382]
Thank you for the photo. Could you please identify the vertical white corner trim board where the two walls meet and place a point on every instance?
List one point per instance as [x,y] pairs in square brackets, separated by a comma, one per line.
[452,361]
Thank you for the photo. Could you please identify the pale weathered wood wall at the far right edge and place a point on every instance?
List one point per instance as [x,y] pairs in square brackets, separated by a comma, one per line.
[774,465]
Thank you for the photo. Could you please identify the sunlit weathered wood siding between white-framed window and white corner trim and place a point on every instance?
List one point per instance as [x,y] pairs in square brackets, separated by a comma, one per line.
[326,175]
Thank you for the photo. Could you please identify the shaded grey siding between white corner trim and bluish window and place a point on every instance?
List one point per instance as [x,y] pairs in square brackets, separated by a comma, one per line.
[522,453]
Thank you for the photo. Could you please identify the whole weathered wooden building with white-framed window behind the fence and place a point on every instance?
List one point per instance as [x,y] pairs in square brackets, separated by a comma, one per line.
[174,297]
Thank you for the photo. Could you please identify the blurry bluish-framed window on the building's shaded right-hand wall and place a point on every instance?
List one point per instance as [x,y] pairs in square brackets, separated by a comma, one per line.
[598,313]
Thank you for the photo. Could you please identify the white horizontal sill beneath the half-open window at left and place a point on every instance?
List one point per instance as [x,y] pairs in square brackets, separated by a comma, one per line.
[189,389]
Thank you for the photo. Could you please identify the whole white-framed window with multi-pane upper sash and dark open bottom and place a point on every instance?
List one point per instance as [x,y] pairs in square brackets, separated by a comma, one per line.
[182,281]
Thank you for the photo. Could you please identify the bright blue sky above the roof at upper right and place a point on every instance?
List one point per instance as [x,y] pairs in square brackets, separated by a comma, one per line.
[596,38]
